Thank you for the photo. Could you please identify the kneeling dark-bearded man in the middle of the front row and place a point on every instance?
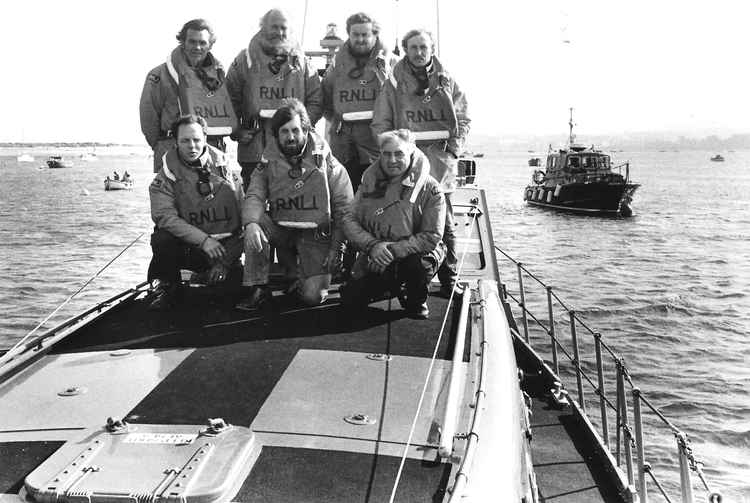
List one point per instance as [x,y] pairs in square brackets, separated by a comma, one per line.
[308,194]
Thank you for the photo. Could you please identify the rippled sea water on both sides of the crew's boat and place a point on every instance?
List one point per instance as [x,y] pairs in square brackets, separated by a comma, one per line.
[669,288]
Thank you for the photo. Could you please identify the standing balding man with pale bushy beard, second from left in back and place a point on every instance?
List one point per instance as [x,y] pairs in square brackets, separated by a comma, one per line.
[272,68]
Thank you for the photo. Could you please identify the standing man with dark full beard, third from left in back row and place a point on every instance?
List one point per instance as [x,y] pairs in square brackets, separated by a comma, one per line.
[359,70]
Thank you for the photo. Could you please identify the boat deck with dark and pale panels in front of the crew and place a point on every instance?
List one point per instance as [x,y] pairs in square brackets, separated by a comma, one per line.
[294,380]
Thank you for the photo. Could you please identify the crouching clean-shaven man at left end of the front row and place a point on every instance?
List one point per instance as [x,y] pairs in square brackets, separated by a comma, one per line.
[196,206]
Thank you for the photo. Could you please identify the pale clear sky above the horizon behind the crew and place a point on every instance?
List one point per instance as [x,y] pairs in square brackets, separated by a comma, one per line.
[74,70]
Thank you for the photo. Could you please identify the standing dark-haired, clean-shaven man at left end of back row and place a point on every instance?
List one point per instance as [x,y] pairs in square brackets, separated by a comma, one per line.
[191,81]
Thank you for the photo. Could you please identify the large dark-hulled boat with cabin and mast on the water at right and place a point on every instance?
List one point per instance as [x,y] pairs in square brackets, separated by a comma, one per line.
[582,179]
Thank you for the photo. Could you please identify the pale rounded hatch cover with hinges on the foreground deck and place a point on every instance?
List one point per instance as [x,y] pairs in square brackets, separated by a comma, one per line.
[171,463]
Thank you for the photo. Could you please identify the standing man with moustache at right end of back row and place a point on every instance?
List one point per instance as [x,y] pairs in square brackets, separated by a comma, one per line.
[423,97]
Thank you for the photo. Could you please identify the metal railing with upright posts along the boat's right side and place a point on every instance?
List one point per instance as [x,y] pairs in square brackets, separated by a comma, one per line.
[624,435]
